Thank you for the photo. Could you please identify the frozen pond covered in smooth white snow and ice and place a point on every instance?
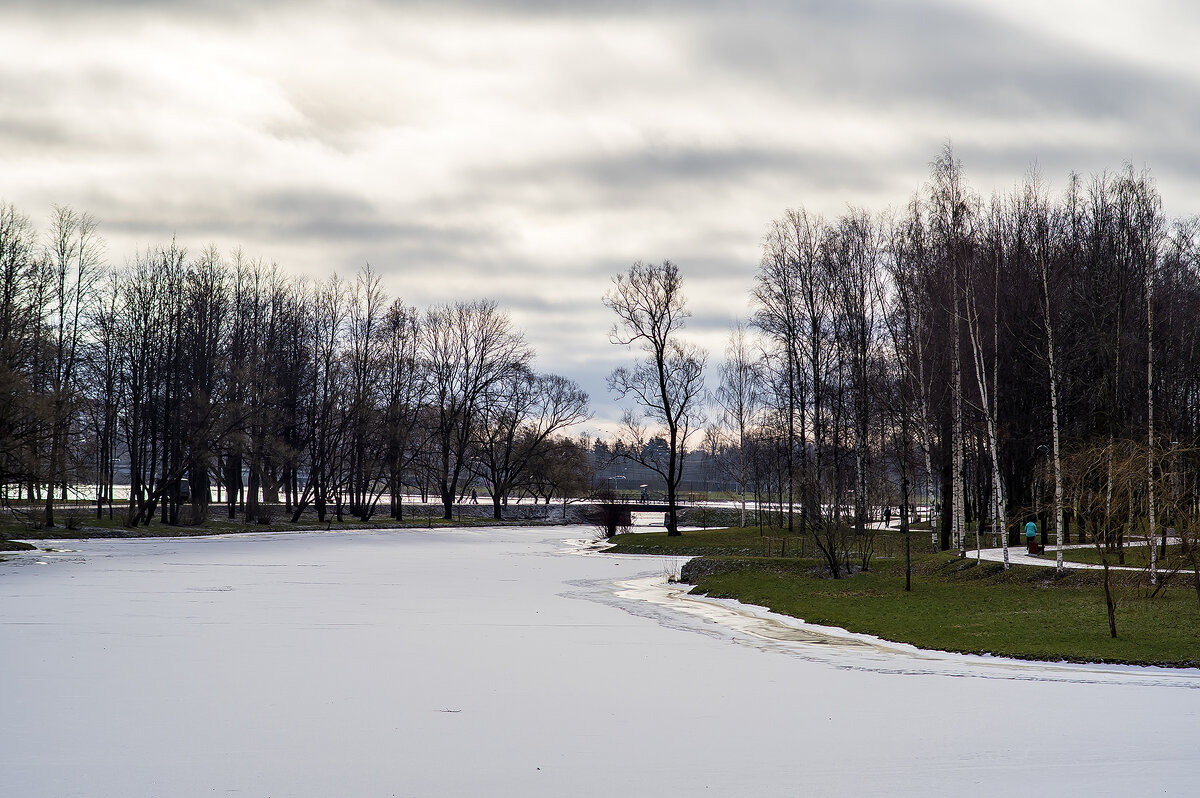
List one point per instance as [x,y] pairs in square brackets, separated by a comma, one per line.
[497,663]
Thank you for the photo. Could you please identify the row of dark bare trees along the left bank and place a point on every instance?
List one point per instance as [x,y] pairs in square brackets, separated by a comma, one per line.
[225,376]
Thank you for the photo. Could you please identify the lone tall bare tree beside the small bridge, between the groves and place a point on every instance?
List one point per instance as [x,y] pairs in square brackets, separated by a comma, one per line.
[669,382]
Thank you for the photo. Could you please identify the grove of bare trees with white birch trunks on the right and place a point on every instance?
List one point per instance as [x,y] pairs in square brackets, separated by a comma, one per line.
[952,355]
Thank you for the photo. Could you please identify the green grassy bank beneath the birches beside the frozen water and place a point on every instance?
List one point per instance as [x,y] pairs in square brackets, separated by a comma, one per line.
[956,605]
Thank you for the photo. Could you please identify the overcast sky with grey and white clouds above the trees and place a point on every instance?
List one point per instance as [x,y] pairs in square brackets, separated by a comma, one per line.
[526,152]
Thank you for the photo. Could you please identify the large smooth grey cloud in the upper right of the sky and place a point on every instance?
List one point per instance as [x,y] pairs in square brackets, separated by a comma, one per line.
[923,56]
